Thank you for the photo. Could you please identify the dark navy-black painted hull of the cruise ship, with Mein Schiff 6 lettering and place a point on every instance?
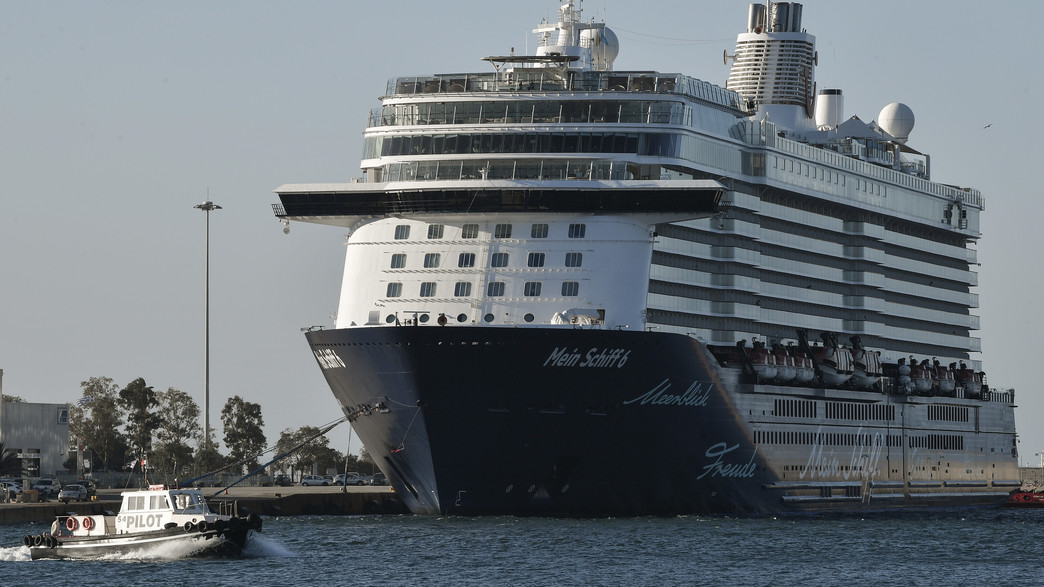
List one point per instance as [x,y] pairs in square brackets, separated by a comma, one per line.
[567,422]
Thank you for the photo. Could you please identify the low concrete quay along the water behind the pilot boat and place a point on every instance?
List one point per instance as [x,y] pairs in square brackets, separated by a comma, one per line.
[294,501]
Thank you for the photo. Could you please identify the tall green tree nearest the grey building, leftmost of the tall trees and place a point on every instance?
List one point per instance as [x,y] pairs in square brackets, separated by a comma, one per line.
[97,419]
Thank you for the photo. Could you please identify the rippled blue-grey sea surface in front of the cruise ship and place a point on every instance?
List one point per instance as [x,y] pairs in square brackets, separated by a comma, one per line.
[991,548]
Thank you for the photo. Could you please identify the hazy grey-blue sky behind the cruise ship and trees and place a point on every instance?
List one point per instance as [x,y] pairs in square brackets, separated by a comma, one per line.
[116,119]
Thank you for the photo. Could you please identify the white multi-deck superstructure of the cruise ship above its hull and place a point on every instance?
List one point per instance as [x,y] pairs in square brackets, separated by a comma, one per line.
[838,229]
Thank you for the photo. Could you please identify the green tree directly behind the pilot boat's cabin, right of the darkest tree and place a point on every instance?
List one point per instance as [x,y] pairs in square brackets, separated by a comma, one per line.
[179,421]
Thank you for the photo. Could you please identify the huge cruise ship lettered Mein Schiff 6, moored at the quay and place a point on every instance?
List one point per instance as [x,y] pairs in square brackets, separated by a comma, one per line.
[573,291]
